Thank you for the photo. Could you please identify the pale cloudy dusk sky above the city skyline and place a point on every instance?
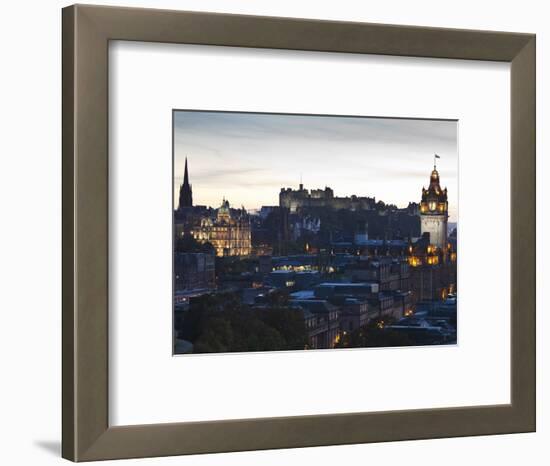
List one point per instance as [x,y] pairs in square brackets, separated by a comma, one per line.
[248,157]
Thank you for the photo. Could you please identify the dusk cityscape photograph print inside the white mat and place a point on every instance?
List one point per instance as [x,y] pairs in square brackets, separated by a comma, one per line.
[307,232]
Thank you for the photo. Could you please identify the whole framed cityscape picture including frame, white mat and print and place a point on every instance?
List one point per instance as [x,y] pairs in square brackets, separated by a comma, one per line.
[283,233]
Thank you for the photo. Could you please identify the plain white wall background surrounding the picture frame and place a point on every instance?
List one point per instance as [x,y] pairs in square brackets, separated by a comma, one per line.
[30,233]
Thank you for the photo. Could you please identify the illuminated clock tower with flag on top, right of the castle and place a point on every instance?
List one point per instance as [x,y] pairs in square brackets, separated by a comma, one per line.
[434,211]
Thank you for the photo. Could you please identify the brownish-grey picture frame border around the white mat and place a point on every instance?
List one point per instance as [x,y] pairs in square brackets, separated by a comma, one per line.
[86,434]
